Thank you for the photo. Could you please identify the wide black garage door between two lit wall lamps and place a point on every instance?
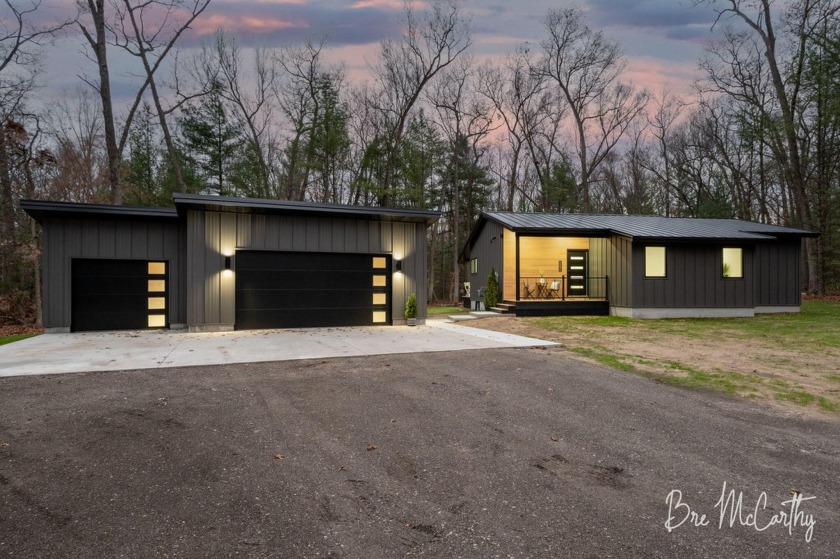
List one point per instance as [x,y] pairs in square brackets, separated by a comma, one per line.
[297,289]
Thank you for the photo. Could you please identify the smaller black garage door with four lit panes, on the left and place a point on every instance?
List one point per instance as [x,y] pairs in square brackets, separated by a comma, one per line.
[118,294]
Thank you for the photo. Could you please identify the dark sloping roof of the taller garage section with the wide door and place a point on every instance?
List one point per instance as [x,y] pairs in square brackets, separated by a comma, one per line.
[250,205]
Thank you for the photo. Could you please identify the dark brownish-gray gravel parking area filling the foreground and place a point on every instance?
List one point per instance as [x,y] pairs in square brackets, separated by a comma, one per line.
[485,453]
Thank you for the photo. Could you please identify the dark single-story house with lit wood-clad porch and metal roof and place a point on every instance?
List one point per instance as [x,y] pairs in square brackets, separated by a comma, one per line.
[636,266]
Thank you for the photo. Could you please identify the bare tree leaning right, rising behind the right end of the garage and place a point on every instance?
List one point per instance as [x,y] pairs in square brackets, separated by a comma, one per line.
[429,43]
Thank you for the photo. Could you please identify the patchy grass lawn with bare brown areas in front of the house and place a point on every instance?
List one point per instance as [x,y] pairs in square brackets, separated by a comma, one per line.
[791,359]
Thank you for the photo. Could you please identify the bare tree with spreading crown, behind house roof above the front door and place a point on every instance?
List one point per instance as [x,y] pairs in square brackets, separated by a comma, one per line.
[586,68]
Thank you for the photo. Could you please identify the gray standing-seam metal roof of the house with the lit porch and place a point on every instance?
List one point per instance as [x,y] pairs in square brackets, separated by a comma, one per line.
[644,226]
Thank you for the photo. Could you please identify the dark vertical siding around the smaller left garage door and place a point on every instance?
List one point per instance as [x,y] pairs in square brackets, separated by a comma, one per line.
[65,239]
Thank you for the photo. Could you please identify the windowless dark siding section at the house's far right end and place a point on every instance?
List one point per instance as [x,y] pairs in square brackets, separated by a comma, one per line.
[776,271]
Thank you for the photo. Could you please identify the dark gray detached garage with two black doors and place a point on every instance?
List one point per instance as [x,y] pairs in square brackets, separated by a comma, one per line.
[217,263]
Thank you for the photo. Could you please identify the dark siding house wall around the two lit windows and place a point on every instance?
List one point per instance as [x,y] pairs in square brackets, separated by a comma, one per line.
[694,279]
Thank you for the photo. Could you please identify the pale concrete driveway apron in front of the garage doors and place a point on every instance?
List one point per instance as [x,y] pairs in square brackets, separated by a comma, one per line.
[110,351]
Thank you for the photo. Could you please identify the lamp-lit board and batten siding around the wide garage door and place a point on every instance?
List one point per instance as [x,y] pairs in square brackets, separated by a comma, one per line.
[223,233]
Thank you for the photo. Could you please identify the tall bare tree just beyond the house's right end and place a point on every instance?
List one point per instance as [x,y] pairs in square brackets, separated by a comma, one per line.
[763,69]
